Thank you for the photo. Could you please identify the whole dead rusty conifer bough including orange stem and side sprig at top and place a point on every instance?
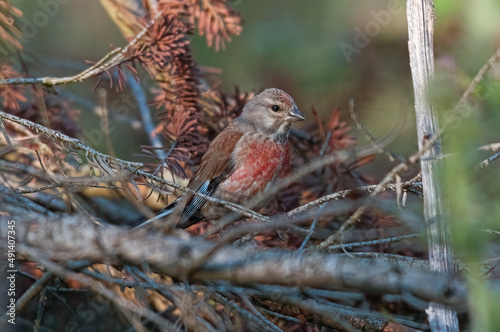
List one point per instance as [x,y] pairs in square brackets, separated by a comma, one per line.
[163,50]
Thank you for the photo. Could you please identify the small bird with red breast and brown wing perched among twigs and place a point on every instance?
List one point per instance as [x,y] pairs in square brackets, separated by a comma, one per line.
[245,159]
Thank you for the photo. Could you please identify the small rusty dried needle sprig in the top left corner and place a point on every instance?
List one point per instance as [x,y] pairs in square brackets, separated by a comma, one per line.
[9,34]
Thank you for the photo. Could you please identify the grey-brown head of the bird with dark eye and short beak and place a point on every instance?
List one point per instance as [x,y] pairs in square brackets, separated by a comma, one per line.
[271,112]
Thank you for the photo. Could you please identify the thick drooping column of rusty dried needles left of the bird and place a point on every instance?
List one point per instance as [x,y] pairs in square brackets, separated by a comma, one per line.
[165,53]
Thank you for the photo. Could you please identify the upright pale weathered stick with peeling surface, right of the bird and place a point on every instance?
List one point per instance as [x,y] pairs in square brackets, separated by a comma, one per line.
[421,15]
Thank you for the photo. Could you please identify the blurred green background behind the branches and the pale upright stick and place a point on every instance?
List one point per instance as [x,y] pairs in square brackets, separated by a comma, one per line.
[300,46]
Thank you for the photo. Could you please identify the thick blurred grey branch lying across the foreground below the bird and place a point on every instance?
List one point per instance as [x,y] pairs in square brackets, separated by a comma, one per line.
[73,238]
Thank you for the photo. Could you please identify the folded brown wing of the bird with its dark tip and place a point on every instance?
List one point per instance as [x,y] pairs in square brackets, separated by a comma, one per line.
[216,166]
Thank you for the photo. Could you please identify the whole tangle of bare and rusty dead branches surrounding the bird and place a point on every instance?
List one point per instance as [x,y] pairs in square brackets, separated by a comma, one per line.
[335,250]
